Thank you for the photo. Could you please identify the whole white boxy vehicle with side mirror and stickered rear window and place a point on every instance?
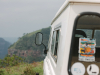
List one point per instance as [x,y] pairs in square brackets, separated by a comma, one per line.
[74,44]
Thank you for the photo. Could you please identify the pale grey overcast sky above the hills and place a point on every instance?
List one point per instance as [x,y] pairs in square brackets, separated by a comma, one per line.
[25,16]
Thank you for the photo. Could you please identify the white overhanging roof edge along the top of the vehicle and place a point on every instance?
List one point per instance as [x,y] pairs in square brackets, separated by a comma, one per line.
[72,1]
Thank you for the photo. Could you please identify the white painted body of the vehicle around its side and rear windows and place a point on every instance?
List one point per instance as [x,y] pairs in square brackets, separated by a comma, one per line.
[66,20]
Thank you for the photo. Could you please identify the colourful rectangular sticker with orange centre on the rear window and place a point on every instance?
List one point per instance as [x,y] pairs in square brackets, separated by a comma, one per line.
[86,49]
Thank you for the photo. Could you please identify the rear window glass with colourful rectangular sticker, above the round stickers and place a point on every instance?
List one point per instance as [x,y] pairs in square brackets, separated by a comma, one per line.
[86,44]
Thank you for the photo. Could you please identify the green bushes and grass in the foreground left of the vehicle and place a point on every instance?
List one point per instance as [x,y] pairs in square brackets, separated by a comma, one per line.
[14,65]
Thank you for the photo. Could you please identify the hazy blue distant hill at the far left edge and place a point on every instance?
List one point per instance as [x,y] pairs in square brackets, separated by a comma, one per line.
[3,48]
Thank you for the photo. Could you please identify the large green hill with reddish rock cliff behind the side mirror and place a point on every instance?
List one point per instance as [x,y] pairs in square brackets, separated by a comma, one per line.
[25,46]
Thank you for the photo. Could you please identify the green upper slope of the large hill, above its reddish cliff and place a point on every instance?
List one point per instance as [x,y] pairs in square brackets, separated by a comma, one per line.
[27,41]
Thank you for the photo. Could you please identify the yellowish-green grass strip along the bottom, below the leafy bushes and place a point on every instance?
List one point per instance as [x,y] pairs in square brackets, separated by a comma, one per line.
[23,69]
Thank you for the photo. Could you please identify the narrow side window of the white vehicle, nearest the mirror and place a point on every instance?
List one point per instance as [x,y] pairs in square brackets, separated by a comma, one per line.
[54,45]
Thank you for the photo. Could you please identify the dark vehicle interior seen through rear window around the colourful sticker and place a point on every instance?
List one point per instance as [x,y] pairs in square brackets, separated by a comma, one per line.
[88,27]
